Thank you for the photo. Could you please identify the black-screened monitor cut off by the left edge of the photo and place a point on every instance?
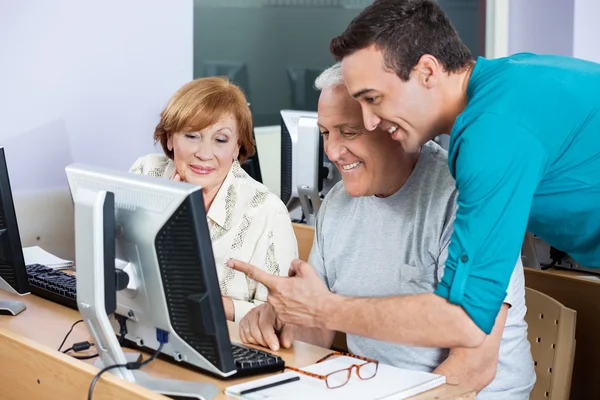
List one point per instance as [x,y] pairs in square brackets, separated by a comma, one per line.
[13,275]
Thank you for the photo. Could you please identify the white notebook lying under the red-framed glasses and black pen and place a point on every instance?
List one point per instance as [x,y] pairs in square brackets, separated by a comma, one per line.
[390,383]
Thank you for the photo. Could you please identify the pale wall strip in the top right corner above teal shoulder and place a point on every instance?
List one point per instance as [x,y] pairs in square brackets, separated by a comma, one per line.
[586,30]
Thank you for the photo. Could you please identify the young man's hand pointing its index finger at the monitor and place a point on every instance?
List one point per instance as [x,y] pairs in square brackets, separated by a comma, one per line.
[301,298]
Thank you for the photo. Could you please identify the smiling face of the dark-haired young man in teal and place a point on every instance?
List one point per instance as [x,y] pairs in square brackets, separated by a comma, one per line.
[410,111]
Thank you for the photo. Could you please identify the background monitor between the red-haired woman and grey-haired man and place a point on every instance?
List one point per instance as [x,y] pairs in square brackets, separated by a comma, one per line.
[307,174]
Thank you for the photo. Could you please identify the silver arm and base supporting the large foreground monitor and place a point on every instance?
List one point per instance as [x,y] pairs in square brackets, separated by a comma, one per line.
[89,251]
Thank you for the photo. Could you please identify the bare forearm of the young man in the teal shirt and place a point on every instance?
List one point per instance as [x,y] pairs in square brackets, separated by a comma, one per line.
[422,320]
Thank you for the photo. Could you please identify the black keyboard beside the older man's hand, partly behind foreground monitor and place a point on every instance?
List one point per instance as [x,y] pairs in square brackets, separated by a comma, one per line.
[250,361]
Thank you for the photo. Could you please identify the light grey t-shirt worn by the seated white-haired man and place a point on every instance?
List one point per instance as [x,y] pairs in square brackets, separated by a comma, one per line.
[375,247]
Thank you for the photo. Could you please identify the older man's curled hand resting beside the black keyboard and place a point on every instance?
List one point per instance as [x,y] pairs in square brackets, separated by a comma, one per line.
[262,327]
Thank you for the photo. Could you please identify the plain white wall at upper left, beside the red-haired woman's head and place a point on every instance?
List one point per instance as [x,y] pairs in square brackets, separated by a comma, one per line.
[85,81]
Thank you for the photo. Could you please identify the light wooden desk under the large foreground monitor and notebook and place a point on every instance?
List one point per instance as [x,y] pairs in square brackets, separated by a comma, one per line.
[28,342]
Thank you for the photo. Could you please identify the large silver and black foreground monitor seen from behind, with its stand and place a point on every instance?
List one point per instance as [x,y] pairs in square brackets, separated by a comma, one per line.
[164,247]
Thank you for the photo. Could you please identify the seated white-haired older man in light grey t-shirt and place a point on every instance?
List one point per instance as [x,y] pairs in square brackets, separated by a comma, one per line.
[384,232]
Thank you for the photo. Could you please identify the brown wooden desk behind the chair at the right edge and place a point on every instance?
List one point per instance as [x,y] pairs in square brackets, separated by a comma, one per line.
[582,295]
